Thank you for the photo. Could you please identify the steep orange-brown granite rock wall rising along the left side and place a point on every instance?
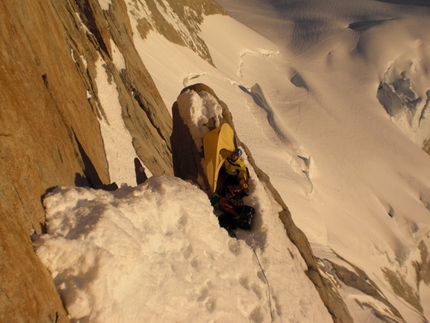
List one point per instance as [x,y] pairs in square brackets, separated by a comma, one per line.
[49,128]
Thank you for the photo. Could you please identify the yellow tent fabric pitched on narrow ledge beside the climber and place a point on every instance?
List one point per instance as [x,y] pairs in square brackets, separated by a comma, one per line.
[217,145]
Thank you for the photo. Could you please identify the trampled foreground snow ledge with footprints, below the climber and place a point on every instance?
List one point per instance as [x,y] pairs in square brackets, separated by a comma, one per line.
[153,254]
